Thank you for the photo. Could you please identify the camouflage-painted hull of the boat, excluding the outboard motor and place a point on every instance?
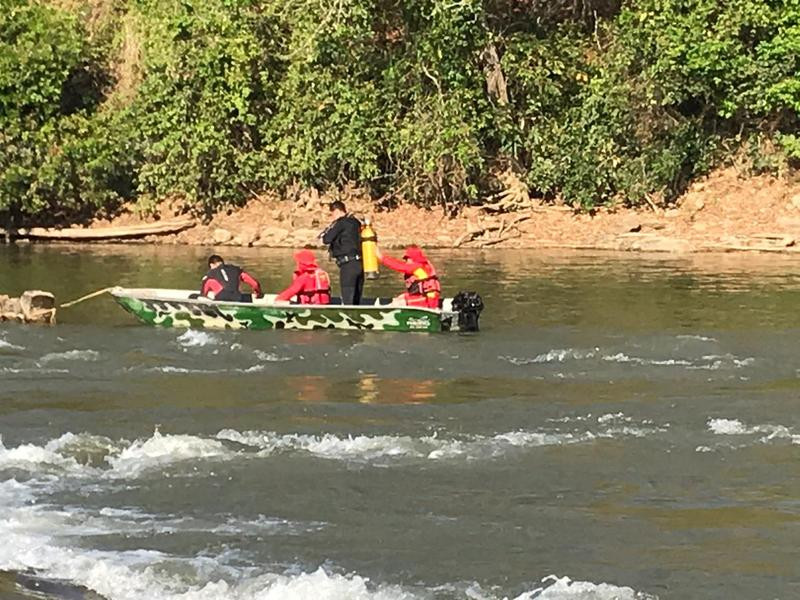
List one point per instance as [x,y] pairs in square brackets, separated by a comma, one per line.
[199,313]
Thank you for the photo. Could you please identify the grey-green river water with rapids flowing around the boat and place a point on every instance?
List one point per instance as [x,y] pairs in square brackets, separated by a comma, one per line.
[622,427]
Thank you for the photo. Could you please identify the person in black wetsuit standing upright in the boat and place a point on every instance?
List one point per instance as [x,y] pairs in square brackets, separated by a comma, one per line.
[343,238]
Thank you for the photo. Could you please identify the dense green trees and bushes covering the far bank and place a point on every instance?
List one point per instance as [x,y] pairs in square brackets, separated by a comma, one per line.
[593,101]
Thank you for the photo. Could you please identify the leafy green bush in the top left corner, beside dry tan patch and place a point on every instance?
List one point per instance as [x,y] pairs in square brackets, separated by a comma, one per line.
[59,156]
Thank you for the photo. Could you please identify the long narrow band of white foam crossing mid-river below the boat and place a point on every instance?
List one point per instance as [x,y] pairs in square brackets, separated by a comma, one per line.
[86,455]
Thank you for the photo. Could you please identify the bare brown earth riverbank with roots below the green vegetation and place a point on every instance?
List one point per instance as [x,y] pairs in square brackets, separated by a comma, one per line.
[722,212]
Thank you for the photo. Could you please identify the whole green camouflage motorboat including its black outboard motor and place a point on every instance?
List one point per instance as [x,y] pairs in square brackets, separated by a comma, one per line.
[183,308]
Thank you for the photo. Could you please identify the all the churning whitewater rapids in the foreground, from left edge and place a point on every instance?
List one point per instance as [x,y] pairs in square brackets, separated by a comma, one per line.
[46,539]
